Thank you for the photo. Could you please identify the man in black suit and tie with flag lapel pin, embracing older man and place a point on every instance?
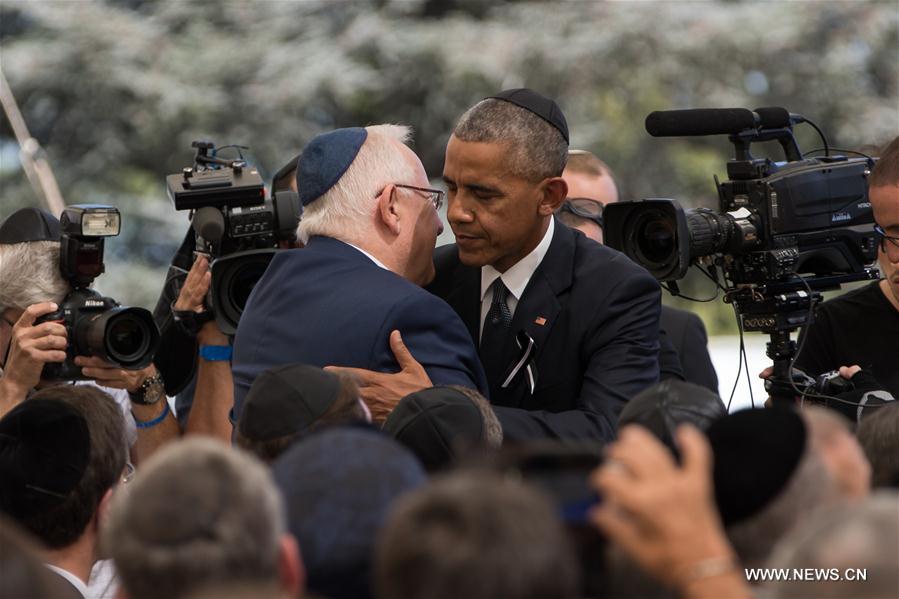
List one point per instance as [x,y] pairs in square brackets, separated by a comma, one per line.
[567,328]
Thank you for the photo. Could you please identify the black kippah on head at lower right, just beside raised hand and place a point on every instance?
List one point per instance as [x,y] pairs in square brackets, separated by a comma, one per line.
[756,453]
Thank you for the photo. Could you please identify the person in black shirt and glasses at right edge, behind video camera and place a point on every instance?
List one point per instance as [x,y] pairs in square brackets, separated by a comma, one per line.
[862,326]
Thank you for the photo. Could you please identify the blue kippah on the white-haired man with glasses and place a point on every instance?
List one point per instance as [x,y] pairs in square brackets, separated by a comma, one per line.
[325,160]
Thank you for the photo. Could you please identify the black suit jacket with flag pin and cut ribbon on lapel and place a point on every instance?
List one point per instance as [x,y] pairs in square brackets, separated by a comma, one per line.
[594,316]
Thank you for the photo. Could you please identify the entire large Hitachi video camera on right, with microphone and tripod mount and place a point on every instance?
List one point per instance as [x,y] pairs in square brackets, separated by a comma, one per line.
[785,230]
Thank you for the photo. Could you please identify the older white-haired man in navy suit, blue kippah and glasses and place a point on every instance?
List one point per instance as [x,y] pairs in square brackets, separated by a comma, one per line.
[353,293]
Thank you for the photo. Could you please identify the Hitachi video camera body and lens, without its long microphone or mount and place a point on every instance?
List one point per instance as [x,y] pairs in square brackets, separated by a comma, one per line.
[776,220]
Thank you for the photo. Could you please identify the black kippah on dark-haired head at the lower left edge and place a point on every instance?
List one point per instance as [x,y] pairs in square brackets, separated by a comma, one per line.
[44,452]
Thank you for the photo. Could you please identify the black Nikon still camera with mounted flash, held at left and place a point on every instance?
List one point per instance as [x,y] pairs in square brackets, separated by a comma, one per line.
[95,325]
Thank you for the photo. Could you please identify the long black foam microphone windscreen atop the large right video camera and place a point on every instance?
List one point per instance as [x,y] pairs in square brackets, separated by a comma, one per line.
[699,121]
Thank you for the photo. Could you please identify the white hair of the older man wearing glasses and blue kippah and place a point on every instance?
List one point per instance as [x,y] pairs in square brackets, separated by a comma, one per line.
[349,204]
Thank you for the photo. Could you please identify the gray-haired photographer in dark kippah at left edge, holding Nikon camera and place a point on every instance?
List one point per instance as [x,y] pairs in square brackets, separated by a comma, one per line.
[33,287]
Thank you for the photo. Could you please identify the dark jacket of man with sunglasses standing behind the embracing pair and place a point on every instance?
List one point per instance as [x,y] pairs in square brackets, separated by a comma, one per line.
[687,333]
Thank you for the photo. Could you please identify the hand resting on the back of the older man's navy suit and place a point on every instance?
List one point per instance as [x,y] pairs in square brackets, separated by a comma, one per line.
[382,391]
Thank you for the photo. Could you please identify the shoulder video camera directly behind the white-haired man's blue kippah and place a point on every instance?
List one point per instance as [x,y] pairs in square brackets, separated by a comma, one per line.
[235,224]
